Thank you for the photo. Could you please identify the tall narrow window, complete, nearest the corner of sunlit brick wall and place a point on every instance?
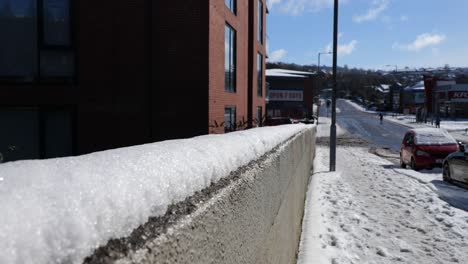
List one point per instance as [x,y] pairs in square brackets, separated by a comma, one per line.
[230,59]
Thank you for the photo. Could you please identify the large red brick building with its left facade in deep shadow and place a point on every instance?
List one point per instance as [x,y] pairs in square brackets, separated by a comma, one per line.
[83,76]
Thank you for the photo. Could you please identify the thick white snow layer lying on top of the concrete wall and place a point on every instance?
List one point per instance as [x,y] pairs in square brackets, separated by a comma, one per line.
[59,210]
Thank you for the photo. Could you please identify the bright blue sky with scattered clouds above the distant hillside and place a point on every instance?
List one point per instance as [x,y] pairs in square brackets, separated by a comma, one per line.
[372,33]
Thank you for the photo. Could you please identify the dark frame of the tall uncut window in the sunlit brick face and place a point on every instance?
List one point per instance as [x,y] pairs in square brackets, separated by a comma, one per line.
[230,86]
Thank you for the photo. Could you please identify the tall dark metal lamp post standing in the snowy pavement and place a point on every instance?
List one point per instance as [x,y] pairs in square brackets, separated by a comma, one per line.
[333,123]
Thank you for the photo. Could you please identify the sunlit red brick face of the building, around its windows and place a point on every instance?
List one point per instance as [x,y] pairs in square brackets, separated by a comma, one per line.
[218,97]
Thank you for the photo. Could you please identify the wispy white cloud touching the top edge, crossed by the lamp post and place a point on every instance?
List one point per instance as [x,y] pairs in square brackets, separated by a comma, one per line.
[298,7]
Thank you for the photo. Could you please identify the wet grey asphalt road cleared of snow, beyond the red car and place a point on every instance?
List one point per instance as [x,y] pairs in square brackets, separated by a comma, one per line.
[367,126]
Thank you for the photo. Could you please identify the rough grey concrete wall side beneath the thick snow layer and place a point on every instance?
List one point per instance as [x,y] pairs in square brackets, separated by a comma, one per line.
[256,218]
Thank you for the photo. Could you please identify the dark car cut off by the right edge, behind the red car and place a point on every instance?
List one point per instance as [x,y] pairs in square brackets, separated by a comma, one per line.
[456,166]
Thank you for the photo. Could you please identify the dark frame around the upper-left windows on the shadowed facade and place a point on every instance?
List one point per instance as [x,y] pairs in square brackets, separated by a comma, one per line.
[41,47]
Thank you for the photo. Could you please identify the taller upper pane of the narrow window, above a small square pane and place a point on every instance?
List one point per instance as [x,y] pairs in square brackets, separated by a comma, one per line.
[57,22]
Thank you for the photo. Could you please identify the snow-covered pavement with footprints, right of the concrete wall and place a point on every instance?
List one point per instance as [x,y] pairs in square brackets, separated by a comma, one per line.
[371,211]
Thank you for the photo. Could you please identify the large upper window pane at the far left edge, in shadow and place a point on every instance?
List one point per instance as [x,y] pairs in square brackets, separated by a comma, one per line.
[18,45]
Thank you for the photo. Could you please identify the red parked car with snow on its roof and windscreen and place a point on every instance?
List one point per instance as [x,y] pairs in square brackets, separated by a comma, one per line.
[426,148]
